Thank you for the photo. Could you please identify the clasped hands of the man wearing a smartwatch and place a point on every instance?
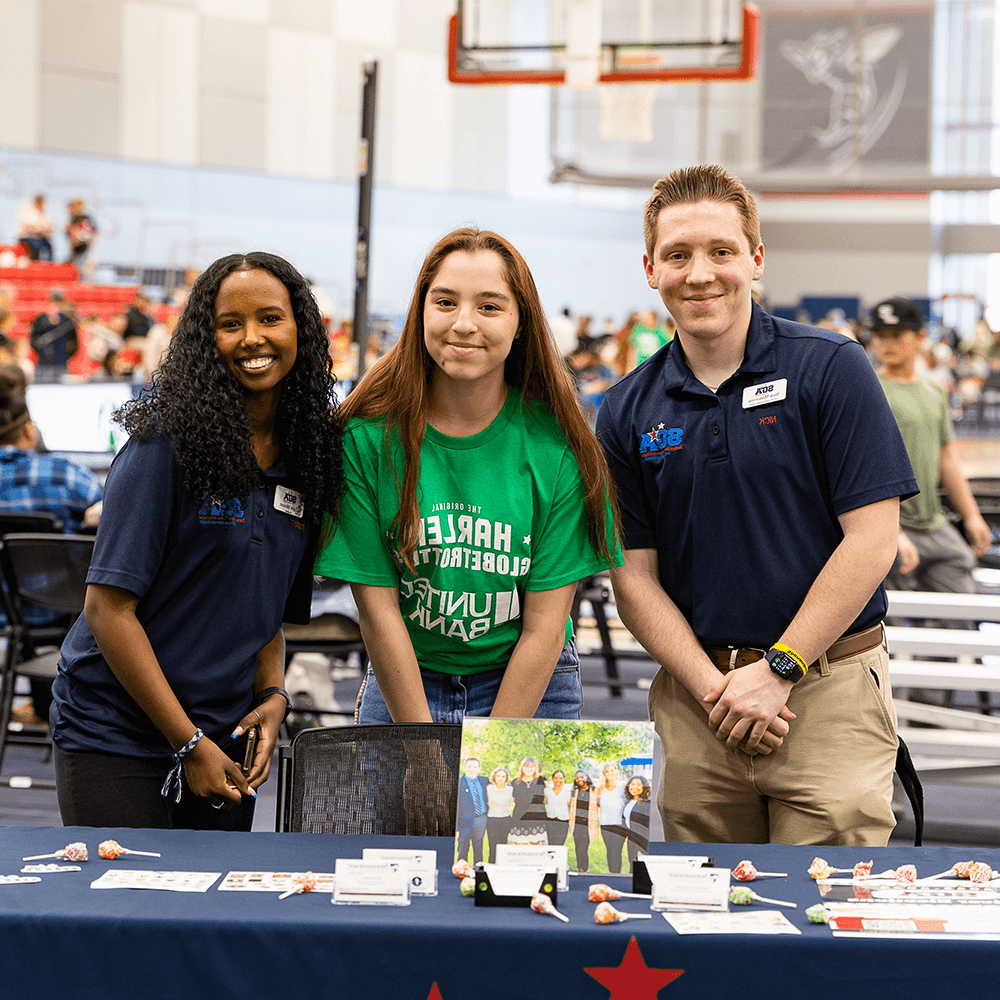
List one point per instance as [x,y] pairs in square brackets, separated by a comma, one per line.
[746,708]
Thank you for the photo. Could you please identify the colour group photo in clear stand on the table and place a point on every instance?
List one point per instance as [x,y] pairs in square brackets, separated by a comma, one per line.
[584,784]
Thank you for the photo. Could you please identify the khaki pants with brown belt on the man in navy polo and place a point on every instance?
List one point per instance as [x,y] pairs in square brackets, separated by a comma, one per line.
[830,782]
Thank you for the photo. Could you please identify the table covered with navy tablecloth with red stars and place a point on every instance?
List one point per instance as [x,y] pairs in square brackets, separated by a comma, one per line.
[60,938]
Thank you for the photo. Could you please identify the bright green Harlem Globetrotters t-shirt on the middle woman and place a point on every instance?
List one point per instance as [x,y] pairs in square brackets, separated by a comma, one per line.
[501,512]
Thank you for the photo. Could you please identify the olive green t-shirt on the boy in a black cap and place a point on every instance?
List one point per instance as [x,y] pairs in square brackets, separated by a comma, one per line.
[921,411]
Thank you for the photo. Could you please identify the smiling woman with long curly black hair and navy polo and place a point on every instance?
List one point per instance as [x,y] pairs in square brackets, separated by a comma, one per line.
[211,518]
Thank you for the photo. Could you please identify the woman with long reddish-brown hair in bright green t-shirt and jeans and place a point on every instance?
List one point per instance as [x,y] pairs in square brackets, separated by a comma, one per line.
[475,498]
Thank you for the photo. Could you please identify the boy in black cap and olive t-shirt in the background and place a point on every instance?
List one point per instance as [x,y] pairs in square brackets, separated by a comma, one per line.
[932,554]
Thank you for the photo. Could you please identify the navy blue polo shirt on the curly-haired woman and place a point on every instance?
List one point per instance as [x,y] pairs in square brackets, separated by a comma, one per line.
[214,584]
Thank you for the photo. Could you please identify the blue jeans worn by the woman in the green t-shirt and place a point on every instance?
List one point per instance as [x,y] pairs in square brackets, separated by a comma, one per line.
[452,696]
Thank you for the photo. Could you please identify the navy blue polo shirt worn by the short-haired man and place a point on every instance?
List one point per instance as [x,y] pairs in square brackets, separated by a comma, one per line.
[739,491]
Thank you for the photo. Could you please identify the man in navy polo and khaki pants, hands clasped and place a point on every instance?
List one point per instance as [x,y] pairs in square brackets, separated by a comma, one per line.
[759,472]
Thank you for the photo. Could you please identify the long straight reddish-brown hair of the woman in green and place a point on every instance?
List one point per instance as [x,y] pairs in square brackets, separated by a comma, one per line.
[397,388]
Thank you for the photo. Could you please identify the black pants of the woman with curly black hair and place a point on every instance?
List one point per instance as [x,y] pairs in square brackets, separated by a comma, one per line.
[102,789]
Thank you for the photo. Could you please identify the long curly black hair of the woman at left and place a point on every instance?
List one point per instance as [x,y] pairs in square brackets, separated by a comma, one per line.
[196,401]
